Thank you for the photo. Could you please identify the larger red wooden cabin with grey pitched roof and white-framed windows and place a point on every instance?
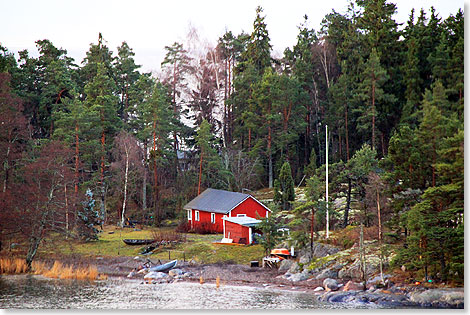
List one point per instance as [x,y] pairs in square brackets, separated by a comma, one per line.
[207,209]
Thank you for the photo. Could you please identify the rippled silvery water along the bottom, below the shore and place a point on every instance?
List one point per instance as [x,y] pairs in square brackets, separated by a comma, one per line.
[26,291]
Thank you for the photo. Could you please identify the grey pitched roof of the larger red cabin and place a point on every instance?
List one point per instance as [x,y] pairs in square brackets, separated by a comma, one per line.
[219,201]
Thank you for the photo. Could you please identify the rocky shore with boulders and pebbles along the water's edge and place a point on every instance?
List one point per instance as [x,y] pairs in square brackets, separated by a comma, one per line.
[332,290]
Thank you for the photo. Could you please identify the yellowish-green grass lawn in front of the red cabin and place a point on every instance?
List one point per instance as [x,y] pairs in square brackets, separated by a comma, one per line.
[197,247]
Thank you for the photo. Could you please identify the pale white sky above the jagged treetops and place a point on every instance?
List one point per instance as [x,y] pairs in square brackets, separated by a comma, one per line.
[148,26]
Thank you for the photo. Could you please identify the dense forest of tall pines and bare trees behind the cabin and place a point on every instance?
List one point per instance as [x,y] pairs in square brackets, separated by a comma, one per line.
[230,115]
